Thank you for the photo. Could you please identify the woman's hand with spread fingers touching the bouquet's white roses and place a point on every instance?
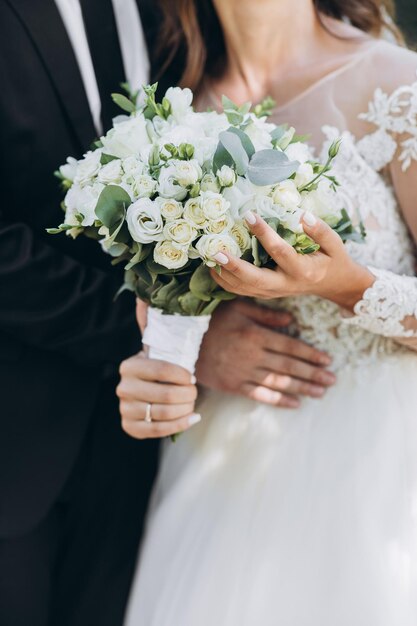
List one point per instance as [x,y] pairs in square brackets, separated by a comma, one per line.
[329,273]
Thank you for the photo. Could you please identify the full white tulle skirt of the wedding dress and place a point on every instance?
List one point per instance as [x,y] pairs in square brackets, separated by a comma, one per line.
[271,517]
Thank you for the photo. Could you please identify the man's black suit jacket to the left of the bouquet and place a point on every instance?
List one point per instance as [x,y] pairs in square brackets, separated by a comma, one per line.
[60,330]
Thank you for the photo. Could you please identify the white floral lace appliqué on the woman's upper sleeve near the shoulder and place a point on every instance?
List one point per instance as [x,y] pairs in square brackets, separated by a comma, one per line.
[397,114]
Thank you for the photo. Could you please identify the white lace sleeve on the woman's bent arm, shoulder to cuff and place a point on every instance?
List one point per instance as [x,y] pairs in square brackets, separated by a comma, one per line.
[389,307]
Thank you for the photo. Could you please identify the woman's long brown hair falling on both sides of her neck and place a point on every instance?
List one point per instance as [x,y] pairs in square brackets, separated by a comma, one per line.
[191,29]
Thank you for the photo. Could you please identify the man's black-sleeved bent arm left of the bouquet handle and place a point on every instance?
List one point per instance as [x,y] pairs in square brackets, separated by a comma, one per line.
[51,301]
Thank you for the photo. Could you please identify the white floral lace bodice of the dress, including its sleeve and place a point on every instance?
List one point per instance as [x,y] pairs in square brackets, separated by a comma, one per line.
[378,176]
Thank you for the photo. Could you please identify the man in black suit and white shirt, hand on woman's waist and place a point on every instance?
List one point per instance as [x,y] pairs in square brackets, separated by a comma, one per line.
[73,487]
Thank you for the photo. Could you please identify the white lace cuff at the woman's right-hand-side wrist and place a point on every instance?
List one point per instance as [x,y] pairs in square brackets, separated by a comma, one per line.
[386,305]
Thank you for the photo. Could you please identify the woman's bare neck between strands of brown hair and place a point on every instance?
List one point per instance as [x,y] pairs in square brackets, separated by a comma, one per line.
[263,38]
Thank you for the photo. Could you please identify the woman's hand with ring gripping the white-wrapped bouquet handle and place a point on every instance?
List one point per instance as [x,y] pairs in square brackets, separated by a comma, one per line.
[169,389]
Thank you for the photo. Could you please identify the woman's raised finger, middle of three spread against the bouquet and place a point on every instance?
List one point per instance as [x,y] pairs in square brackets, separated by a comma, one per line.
[283,254]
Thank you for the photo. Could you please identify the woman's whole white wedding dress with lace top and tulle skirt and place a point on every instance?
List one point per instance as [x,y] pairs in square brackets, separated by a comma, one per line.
[274,517]
